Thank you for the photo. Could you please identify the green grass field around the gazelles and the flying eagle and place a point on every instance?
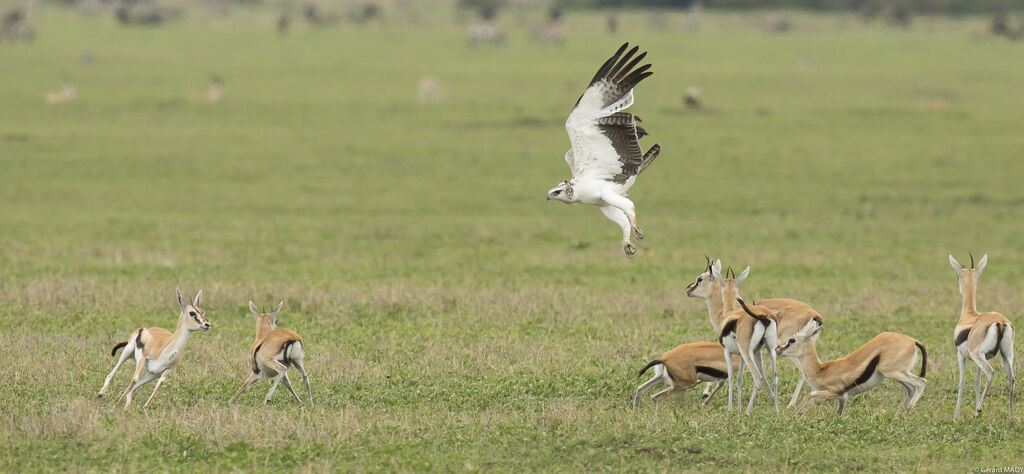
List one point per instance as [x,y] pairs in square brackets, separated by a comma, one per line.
[454,320]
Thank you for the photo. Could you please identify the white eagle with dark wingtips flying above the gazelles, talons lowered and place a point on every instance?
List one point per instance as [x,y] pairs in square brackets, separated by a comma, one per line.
[606,156]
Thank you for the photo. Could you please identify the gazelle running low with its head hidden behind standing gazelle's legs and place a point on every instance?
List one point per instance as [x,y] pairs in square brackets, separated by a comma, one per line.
[685,367]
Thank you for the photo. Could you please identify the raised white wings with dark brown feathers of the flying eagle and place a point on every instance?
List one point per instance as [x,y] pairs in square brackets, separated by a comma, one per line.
[607,141]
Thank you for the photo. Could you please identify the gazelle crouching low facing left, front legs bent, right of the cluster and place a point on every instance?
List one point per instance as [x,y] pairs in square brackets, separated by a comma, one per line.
[889,356]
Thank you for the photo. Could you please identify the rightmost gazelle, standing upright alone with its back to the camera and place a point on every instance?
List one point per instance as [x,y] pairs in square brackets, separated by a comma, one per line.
[980,336]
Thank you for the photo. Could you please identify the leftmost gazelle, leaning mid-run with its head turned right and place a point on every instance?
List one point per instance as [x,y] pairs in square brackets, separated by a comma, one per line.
[157,352]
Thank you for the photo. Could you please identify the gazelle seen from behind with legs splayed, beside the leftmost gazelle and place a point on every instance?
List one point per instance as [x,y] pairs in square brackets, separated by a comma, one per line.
[272,355]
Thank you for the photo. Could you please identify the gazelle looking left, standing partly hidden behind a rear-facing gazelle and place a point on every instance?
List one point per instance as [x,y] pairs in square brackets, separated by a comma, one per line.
[794,316]
